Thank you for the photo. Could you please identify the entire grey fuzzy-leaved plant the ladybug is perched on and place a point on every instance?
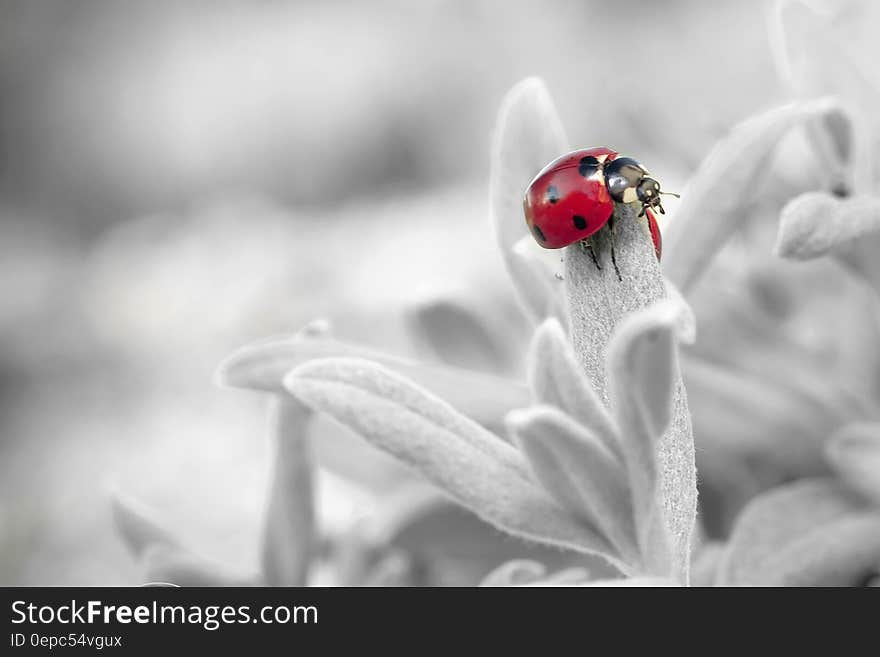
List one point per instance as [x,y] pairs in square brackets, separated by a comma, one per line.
[594,453]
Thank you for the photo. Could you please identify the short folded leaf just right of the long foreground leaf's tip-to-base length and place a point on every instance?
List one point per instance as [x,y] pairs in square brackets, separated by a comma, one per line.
[580,472]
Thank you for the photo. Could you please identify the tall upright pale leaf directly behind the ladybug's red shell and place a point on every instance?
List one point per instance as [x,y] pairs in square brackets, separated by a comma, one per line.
[528,135]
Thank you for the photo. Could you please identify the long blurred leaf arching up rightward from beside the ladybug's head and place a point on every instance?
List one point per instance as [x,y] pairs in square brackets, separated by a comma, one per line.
[713,202]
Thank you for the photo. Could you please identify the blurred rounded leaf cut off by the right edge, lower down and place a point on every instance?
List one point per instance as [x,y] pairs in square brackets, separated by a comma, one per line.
[854,453]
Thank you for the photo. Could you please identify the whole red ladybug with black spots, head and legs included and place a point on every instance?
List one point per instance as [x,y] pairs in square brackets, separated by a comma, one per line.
[573,197]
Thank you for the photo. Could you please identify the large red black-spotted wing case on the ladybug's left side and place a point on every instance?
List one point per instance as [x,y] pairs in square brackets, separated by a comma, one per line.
[568,200]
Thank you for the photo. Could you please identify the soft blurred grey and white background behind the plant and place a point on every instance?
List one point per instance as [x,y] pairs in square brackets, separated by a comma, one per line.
[177,178]
